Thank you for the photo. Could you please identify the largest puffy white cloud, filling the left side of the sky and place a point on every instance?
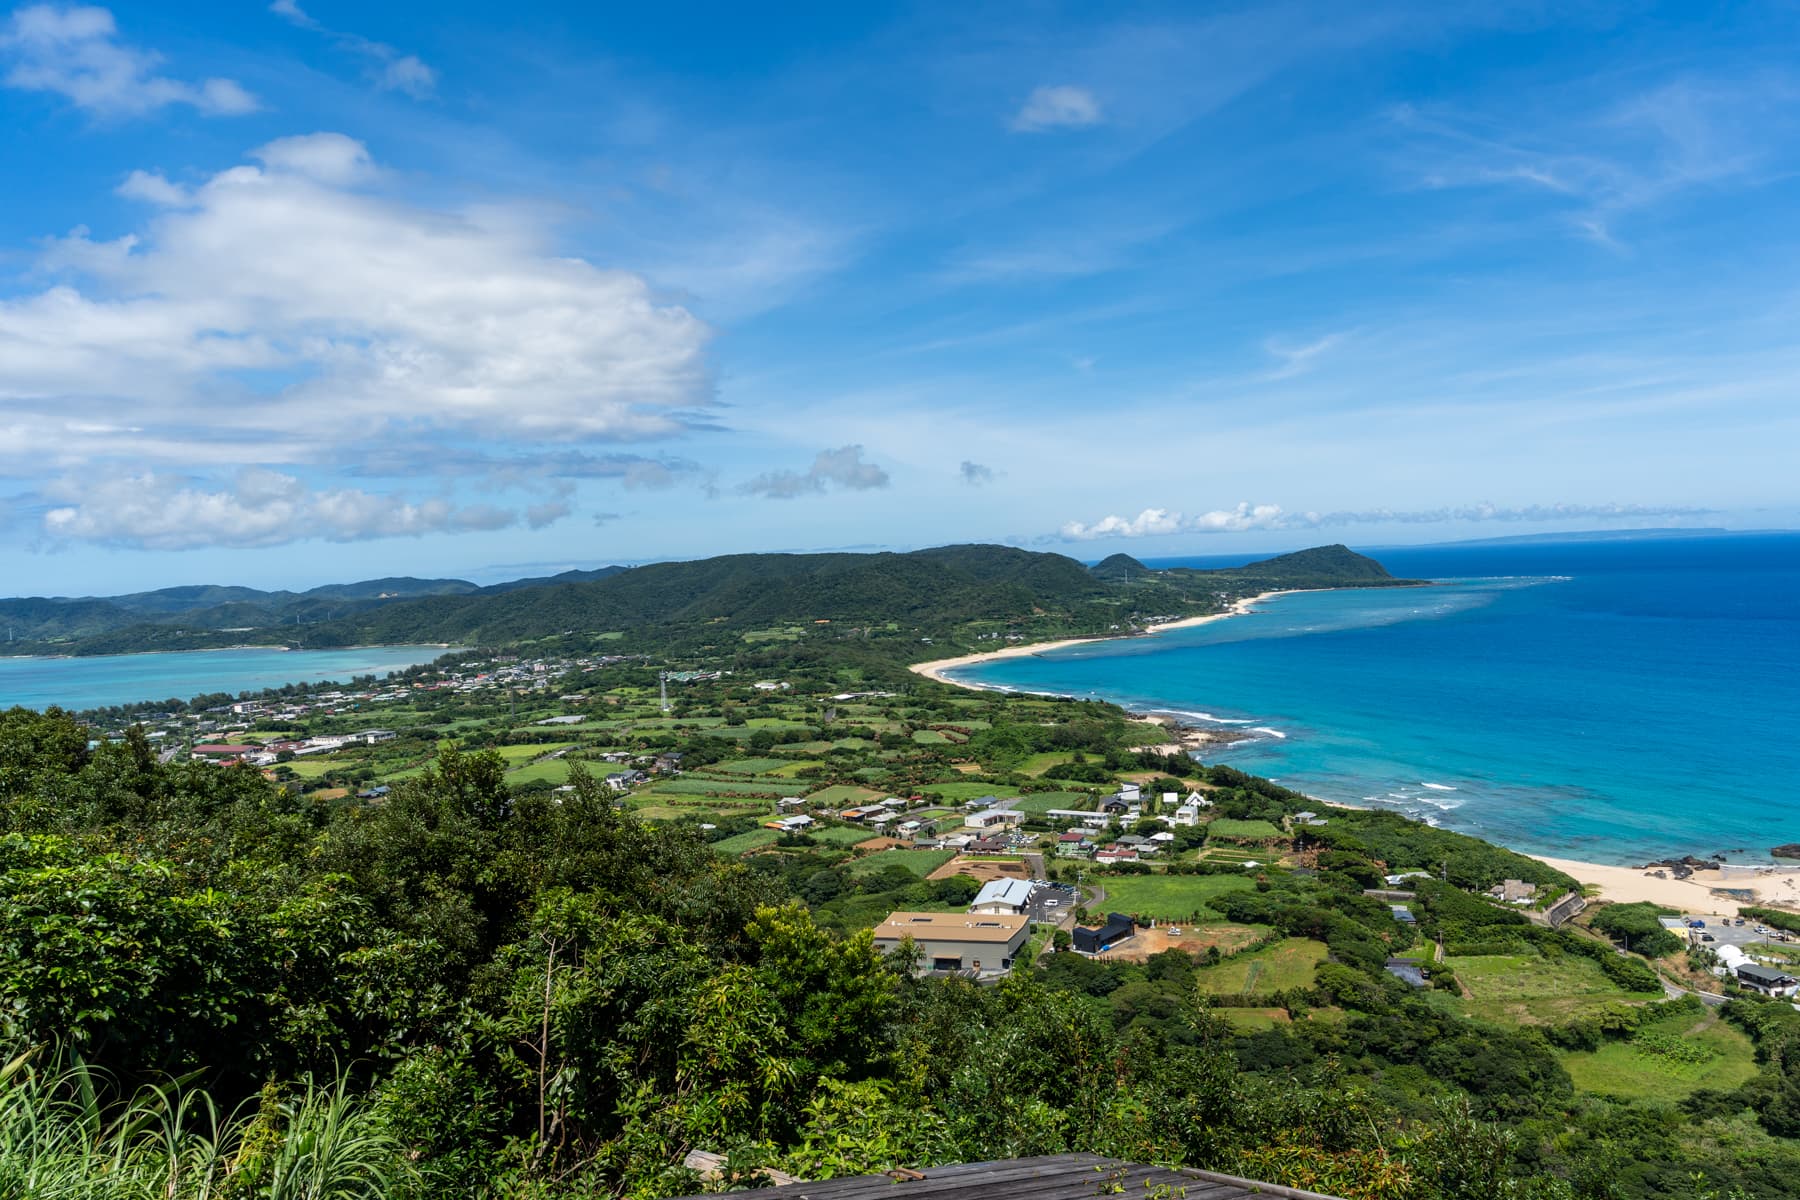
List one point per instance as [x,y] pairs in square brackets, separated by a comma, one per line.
[350,314]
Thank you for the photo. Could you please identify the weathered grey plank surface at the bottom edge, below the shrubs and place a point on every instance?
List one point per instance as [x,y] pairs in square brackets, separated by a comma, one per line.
[1054,1178]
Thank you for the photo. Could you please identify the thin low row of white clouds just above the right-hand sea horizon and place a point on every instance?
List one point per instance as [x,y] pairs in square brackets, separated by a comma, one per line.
[1273,517]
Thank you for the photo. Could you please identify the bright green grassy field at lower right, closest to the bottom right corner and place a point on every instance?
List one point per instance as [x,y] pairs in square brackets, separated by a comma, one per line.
[1720,1057]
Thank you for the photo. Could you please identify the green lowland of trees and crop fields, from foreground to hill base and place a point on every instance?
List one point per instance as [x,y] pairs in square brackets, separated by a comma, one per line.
[514,947]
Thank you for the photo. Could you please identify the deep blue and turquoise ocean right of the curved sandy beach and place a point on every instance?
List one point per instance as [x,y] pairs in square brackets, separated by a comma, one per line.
[1603,701]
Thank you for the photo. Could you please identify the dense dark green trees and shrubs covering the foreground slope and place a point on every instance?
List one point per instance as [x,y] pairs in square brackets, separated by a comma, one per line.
[521,994]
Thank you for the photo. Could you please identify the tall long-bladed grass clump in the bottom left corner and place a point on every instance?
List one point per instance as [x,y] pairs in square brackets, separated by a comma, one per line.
[60,1140]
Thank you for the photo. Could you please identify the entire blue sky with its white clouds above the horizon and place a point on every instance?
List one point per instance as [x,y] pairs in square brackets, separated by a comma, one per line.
[319,291]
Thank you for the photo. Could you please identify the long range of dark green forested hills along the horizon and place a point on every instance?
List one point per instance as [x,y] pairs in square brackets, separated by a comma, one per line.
[903,600]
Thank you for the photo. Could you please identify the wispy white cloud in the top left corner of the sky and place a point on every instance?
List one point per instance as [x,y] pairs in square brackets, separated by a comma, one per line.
[76,53]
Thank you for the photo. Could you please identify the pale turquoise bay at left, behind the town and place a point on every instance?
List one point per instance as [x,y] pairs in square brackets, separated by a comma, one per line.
[127,679]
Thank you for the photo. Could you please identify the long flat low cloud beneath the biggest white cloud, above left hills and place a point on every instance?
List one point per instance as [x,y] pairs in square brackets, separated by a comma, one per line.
[260,508]
